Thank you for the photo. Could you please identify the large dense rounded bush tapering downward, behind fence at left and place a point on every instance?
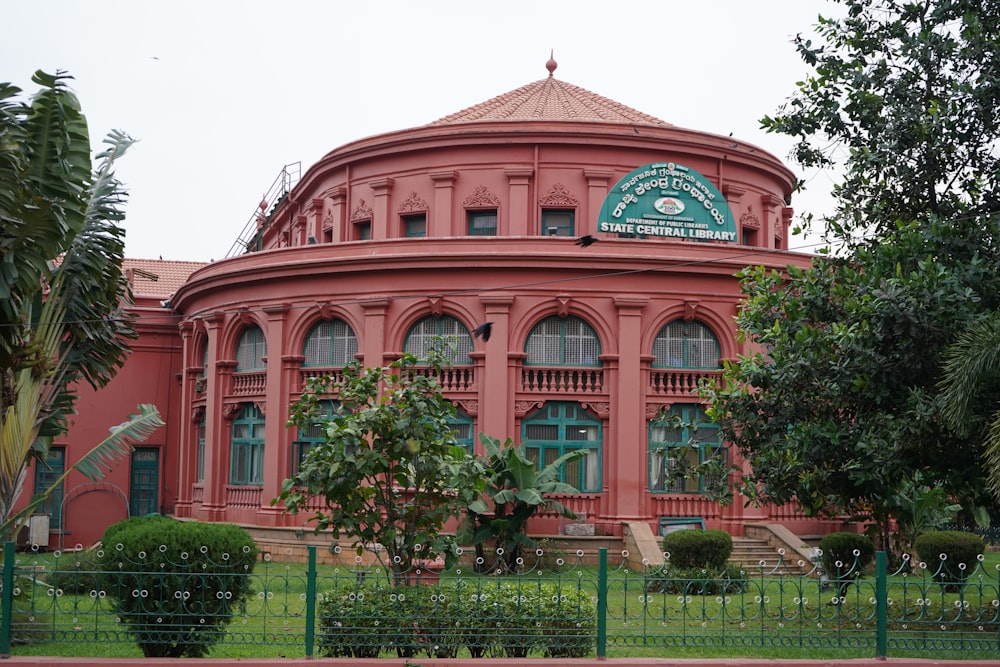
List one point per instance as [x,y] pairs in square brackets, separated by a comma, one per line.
[175,584]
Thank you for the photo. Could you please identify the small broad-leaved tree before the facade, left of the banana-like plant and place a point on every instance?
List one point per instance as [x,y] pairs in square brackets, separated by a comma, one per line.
[389,473]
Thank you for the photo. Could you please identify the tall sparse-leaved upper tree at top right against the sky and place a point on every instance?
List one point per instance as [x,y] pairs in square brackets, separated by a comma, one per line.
[903,99]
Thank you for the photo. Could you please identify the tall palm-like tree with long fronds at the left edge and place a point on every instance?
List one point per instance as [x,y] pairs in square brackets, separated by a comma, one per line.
[62,291]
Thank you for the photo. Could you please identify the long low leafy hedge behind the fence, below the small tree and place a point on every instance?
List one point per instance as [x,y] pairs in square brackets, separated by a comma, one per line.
[508,619]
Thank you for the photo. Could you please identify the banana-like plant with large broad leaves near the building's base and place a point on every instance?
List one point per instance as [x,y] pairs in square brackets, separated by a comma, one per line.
[515,491]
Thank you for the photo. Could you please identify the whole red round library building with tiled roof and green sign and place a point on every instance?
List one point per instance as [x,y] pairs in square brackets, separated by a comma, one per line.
[394,239]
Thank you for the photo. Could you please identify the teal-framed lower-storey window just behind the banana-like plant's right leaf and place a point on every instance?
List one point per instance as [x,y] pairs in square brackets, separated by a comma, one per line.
[559,428]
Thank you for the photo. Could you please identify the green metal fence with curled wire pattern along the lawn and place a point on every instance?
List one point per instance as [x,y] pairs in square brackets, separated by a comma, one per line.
[555,605]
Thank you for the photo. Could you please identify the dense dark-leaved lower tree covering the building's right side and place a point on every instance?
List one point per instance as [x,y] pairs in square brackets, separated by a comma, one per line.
[839,410]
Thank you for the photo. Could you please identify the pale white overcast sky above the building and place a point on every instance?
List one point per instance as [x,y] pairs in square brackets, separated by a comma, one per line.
[222,94]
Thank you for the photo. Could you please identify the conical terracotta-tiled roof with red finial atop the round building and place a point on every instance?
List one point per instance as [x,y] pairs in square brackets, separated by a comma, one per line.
[550,99]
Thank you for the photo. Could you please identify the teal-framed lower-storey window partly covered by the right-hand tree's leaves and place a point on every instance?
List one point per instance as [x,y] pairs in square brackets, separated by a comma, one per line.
[679,443]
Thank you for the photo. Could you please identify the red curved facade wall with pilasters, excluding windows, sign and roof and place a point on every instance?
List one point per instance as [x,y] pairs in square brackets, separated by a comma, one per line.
[311,265]
